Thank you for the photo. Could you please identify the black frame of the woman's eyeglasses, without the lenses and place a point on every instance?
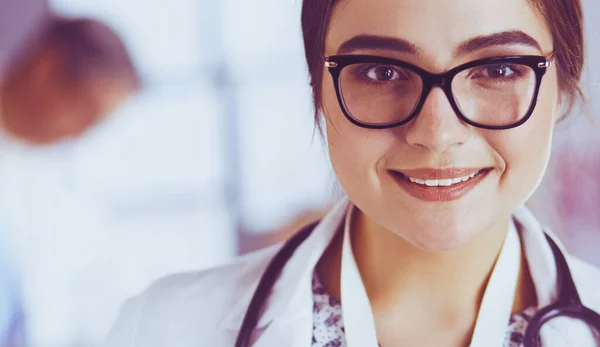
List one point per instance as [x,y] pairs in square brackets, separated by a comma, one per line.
[336,63]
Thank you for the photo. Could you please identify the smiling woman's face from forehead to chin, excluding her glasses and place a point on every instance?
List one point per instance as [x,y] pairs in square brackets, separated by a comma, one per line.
[372,164]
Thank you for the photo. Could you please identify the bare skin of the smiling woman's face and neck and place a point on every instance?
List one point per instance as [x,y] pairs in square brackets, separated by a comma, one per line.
[408,250]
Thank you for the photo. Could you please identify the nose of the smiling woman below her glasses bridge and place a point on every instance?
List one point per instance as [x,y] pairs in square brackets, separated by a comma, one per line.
[437,128]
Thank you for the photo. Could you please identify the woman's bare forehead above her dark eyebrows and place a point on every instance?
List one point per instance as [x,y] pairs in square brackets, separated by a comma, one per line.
[435,27]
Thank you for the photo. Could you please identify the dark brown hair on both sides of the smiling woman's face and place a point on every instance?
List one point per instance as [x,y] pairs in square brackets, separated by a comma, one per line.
[563,17]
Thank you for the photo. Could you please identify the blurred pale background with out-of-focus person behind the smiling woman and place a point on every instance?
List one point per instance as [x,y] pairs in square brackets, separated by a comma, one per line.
[196,144]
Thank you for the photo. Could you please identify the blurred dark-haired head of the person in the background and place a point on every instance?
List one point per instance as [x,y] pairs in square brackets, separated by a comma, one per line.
[69,78]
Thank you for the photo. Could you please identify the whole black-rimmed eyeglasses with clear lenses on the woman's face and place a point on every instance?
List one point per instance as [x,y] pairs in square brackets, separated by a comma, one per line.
[495,93]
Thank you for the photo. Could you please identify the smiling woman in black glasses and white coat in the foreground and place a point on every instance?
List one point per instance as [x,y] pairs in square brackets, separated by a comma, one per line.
[438,140]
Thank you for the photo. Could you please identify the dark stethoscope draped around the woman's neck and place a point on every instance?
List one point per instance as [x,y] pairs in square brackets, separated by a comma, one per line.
[568,303]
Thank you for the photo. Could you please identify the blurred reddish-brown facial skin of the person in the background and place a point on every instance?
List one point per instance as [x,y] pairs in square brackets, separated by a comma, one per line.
[55,110]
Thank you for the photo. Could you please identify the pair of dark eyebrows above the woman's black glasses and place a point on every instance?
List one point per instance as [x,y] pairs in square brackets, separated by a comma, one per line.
[373,42]
